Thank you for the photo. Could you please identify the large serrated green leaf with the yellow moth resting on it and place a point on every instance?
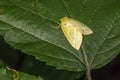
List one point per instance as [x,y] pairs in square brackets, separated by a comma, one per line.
[28,25]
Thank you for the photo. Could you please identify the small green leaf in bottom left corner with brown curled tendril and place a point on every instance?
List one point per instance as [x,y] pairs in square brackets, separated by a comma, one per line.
[6,74]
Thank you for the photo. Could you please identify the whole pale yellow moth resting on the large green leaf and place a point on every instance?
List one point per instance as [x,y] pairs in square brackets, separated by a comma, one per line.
[74,31]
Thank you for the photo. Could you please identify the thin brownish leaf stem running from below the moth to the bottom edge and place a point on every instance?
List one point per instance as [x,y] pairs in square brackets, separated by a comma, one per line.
[88,72]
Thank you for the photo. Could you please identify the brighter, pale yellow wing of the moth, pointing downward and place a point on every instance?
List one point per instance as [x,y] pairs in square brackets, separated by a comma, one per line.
[73,35]
